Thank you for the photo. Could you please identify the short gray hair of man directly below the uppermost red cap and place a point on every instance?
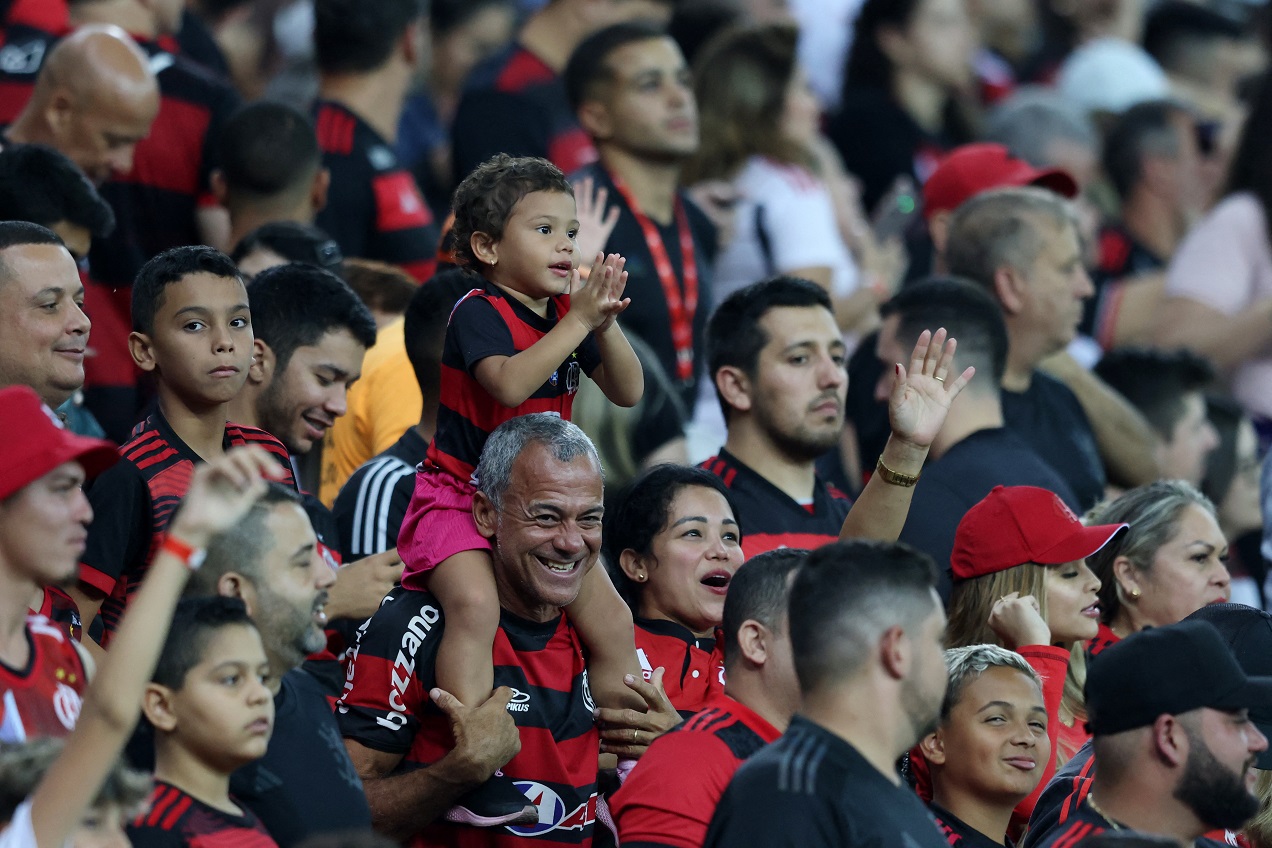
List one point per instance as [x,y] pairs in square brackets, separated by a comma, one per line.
[1004,228]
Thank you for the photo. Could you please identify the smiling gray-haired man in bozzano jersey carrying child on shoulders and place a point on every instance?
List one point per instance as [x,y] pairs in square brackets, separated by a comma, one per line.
[394,730]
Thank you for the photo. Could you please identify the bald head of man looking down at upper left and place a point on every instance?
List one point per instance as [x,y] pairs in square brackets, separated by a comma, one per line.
[95,100]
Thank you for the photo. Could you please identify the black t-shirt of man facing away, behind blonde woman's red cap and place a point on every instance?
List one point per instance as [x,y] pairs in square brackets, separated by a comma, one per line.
[960,480]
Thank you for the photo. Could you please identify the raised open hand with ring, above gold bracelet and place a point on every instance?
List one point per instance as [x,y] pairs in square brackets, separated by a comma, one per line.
[922,396]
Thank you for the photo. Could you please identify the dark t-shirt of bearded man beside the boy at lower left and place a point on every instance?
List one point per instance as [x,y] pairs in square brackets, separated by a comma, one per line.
[306,784]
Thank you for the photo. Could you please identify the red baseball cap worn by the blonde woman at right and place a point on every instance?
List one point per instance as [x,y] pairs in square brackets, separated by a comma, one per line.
[1020,524]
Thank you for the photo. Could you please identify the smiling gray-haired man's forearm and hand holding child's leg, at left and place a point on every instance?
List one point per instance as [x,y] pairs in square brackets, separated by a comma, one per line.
[403,805]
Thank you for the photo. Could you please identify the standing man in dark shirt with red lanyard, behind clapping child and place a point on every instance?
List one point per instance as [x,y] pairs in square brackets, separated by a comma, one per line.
[630,87]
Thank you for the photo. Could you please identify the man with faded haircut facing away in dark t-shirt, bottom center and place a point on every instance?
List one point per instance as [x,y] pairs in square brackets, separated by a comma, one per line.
[866,630]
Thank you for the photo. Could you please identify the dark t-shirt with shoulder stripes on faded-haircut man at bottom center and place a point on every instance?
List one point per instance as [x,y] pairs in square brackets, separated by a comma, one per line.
[812,789]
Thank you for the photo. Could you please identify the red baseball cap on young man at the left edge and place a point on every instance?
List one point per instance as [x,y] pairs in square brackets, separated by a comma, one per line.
[34,443]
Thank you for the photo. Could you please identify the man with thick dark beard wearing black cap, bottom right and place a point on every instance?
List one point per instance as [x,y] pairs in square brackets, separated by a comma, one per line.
[1170,715]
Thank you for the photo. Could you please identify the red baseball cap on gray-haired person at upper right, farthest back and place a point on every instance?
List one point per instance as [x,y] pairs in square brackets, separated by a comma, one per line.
[975,168]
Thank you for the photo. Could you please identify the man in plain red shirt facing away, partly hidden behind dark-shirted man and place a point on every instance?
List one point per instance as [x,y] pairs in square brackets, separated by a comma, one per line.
[666,805]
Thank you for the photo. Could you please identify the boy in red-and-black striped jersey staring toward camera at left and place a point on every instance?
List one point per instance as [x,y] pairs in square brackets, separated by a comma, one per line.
[193,331]
